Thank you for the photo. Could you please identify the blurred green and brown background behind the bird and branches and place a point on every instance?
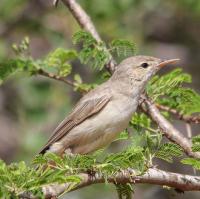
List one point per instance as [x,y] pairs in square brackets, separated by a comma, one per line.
[30,108]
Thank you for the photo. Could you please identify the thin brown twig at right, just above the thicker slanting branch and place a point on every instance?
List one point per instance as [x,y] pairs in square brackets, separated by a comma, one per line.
[180,116]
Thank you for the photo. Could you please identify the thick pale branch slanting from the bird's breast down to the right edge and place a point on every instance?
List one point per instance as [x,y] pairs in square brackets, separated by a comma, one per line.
[167,128]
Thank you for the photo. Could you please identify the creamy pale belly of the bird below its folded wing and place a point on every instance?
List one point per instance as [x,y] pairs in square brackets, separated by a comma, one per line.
[101,129]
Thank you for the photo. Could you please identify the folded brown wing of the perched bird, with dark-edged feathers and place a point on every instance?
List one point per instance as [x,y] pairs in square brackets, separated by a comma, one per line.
[81,112]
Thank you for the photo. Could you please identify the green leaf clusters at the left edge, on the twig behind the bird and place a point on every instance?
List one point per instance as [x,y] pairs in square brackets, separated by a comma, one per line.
[55,63]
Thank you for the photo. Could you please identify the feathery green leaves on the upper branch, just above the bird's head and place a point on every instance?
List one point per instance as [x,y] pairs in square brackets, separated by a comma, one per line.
[96,53]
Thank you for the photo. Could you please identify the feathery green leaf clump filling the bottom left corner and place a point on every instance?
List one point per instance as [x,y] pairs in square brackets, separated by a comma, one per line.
[18,177]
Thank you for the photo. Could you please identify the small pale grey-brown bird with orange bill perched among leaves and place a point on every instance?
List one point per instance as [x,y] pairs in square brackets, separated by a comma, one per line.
[104,112]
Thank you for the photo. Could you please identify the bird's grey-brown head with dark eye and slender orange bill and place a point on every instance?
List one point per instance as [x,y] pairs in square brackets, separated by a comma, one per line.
[141,68]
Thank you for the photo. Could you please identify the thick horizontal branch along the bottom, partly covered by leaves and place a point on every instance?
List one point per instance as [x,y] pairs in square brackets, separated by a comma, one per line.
[152,176]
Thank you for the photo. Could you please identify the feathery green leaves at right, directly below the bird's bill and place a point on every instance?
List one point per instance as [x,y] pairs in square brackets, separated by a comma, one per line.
[169,90]
